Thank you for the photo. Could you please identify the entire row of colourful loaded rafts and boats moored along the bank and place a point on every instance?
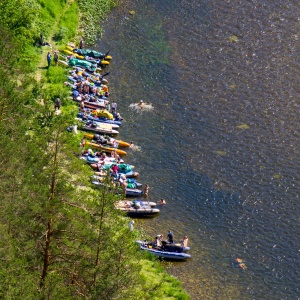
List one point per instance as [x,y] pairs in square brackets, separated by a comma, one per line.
[101,123]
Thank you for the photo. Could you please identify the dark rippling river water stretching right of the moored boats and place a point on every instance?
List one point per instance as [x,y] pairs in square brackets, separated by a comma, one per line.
[221,142]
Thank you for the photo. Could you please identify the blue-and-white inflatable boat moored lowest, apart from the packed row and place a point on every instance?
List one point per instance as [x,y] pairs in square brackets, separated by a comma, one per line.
[166,252]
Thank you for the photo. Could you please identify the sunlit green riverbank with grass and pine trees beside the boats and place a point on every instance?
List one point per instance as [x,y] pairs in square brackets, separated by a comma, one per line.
[61,238]
